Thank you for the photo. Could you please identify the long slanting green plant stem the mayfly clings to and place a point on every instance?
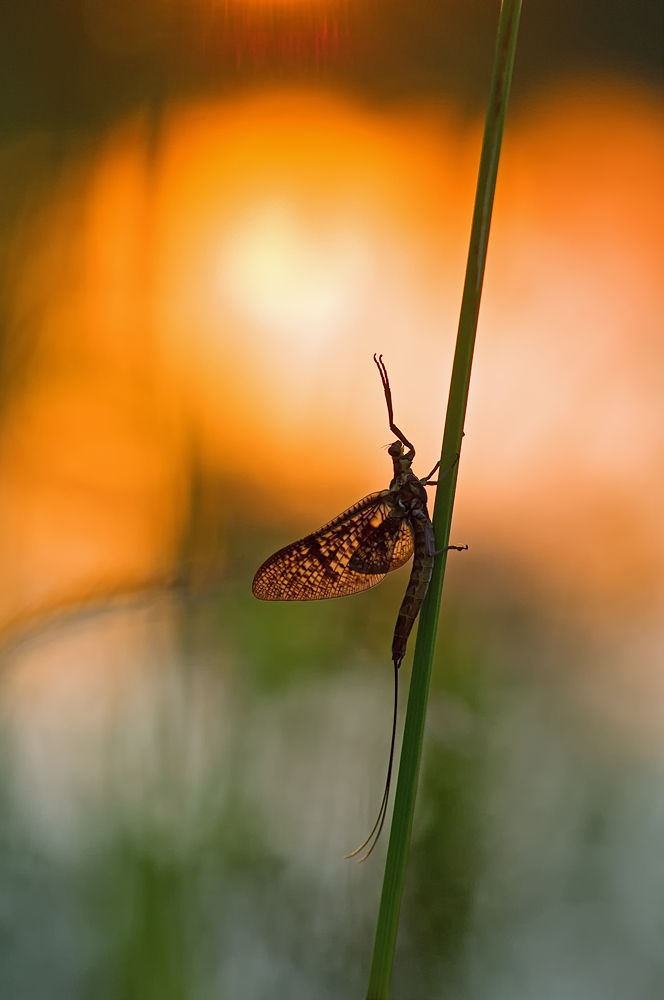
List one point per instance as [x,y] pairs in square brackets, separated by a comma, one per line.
[411,751]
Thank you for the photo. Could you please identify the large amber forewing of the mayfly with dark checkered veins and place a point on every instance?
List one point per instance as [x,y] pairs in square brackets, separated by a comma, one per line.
[317,566]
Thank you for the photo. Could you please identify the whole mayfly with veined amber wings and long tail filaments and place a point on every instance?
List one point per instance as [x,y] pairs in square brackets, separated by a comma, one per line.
[356,550]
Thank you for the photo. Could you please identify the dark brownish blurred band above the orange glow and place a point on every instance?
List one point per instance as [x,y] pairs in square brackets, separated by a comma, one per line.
[79,63]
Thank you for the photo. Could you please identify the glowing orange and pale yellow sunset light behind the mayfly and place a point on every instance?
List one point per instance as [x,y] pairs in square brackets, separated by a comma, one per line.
[229,283]
